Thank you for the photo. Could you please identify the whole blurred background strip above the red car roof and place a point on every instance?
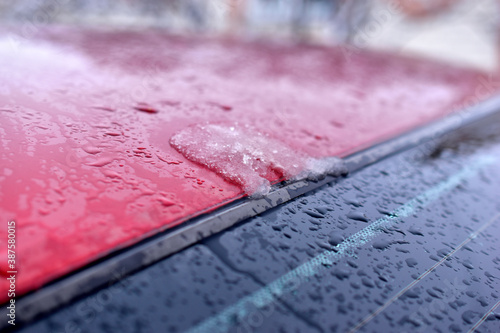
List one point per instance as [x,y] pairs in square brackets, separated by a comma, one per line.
[463,32]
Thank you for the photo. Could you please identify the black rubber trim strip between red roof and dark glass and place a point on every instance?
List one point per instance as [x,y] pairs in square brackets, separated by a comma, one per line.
[119,264]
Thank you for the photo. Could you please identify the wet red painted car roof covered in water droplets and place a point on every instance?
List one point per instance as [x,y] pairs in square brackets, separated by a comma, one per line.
[86,118]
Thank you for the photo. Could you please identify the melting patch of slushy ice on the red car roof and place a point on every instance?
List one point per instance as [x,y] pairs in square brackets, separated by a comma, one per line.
[249,158]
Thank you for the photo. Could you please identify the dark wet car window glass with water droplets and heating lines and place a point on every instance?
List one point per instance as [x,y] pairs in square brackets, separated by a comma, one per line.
[410,244]
